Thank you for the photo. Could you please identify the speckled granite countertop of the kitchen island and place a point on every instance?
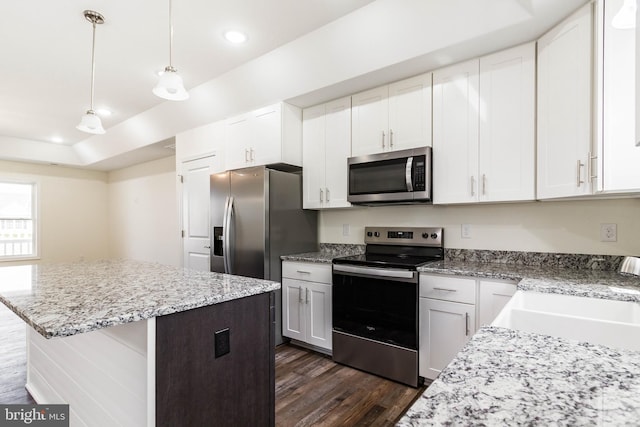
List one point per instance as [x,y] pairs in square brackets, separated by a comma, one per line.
[60,300]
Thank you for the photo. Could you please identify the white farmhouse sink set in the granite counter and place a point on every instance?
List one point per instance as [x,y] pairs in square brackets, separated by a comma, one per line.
[598,321]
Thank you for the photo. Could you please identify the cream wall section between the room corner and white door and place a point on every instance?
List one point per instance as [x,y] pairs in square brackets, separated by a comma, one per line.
[143,212]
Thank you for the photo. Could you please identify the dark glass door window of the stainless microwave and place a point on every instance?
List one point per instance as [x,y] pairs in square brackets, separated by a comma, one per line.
[386,176]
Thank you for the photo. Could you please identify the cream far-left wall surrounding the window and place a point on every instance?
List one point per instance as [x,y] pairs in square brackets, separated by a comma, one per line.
[72,210]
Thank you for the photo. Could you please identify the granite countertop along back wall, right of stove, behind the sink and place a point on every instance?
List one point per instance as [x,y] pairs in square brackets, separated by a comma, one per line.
[579,282]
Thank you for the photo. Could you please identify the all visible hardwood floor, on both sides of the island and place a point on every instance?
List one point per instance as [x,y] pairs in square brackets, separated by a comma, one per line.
[311,390]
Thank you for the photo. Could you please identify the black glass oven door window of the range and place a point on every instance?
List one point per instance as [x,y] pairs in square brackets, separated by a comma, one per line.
[378,309]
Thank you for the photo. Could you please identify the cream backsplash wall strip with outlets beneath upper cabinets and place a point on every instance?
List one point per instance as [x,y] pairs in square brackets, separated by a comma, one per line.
[559,226]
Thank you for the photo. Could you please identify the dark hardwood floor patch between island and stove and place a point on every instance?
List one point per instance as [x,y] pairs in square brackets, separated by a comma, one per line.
[312,390]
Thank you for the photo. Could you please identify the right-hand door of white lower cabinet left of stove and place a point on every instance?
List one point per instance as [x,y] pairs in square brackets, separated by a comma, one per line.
[319,325]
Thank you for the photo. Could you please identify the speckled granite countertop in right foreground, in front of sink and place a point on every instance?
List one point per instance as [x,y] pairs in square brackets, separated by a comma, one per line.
[509,377]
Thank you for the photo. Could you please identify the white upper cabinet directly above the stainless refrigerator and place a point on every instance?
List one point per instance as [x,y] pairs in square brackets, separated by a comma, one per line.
[265,136]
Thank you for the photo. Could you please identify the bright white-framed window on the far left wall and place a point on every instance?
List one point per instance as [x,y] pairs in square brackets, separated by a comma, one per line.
[17,221]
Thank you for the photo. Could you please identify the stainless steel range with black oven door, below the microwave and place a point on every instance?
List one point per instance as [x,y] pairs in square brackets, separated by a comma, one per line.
[375,301]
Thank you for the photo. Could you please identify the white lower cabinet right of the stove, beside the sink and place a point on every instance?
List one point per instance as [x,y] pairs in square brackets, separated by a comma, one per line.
[448,309]
